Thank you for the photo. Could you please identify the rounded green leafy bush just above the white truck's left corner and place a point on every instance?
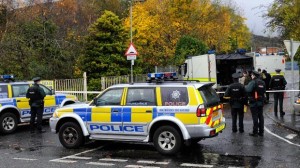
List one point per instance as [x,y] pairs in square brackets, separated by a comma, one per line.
[188,45]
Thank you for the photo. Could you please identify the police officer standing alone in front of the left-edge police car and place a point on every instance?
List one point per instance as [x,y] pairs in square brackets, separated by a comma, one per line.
[36,95]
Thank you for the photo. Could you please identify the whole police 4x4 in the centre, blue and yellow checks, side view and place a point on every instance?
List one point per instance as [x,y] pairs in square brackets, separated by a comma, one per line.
[165,113]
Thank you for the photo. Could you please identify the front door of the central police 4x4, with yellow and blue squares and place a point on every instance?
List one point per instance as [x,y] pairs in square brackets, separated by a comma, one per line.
[106,115]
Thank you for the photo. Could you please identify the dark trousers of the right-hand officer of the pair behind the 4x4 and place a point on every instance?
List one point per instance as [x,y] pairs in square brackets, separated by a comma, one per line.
[258,119]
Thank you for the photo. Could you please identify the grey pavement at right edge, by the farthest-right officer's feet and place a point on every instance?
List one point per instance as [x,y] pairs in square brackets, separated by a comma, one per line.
[291,119]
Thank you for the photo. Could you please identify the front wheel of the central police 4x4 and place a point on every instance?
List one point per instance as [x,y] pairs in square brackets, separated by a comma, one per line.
[70,135]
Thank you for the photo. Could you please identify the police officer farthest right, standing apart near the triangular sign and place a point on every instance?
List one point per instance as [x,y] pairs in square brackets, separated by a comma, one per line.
[278,82]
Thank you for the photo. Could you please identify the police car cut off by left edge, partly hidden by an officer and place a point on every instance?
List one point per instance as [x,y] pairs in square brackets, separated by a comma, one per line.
[14,106]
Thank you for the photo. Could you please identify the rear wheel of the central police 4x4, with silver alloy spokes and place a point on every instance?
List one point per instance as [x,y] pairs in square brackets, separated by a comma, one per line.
[167,140]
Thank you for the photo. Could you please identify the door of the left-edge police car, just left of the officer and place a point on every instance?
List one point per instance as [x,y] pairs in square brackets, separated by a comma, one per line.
[19,94]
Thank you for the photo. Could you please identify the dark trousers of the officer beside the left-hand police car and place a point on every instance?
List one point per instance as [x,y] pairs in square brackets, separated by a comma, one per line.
[36,112]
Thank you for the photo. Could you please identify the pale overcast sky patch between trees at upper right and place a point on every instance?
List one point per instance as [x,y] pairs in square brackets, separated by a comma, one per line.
[253,11]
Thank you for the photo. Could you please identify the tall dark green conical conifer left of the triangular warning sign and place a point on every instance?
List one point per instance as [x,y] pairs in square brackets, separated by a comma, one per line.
[104,50]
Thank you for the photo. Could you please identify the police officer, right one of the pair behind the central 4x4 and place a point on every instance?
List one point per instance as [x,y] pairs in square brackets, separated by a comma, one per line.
[256,90]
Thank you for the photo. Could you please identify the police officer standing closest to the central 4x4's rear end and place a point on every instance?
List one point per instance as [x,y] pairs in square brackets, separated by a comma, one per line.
[237,94]
